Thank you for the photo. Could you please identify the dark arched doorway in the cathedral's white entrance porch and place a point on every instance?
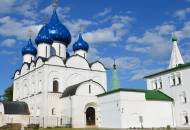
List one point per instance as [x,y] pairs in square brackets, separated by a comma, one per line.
[90,116]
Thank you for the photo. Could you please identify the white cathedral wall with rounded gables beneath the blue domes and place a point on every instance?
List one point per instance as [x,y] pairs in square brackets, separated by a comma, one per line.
[35,85]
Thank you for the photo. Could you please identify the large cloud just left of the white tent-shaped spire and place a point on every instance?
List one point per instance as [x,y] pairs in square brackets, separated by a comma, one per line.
[153,42]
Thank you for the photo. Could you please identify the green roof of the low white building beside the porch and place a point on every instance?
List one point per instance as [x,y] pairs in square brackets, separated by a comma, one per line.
[149,94]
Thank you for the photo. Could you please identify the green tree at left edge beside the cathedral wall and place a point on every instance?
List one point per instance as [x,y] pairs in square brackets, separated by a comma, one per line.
[8,94]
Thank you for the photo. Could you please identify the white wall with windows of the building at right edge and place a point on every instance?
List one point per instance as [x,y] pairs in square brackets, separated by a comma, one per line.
[175,92]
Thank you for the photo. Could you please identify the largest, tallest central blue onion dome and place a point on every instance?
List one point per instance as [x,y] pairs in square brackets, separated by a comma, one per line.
[58,31]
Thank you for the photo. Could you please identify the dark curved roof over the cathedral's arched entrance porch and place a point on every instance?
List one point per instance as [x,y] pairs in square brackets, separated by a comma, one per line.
[71,90]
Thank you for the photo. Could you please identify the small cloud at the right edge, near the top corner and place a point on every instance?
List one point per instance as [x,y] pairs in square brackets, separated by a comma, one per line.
[182,13]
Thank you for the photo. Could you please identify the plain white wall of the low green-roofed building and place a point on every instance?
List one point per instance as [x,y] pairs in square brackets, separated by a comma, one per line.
[126,107]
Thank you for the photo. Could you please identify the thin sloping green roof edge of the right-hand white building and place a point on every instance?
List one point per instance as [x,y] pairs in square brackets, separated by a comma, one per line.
[179,67]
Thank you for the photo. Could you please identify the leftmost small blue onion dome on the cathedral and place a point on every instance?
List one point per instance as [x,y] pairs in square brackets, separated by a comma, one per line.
[29,49]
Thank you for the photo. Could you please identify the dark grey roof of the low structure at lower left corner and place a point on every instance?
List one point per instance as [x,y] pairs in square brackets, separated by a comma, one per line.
[15,107]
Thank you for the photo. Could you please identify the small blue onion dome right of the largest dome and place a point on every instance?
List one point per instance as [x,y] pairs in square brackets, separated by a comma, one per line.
[80,44]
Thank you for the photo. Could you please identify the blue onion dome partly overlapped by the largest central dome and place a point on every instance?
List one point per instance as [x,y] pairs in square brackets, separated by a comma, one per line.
[44,36]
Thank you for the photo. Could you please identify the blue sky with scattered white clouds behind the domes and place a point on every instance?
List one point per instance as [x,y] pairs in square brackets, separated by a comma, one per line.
[137,33]
